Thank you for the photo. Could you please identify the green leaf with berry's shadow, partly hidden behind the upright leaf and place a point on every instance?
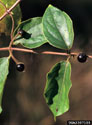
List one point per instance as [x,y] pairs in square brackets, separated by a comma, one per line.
[33,27]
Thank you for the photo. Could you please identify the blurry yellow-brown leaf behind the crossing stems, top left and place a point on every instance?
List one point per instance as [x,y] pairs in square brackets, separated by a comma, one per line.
[6,23]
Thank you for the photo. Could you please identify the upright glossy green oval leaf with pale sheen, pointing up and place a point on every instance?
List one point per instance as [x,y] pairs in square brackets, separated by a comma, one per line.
[58,28]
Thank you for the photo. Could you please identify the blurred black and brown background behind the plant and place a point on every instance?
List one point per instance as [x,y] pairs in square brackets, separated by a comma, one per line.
[23,101]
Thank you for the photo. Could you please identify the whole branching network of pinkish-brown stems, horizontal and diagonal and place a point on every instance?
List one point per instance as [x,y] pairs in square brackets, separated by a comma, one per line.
[10,48]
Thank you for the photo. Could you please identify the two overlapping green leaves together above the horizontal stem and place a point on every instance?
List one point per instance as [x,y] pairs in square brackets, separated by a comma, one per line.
[55,27]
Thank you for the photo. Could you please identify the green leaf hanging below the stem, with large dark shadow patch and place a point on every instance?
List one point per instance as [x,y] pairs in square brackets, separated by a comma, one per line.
[57,88]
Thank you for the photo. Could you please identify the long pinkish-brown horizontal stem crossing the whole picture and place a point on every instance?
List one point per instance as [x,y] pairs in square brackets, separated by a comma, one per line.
[44,52]
